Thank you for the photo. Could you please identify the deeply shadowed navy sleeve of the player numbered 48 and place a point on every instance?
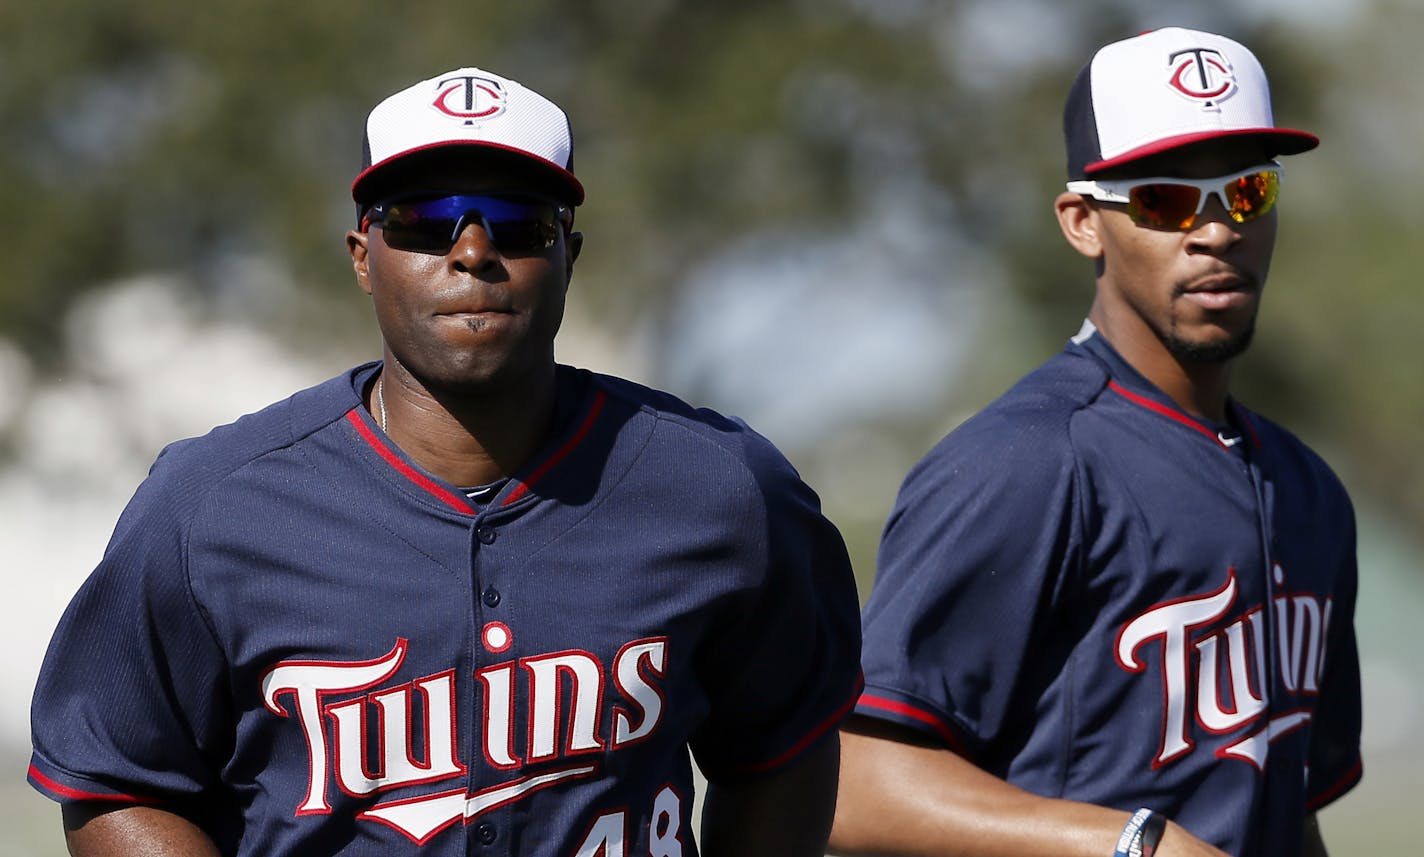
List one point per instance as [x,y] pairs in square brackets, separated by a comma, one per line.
[785,673]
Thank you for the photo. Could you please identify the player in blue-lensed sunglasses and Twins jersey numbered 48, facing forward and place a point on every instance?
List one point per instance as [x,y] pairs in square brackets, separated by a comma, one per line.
[465,600]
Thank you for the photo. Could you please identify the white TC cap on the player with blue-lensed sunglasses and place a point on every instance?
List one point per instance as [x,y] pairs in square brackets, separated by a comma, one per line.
[475,110]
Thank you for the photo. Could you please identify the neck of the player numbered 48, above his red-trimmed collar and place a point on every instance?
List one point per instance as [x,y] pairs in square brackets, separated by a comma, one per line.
[466,438]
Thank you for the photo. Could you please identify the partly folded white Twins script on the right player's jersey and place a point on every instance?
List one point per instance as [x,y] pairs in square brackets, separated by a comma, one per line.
[1230,690]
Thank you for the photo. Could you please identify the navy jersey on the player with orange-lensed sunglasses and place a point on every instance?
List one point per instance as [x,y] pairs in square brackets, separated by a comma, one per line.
[1093,596]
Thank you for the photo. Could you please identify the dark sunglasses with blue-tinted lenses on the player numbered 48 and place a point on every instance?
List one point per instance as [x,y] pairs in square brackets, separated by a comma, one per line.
[434,224]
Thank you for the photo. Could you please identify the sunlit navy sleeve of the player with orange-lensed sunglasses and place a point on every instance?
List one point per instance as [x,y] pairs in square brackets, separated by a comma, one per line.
[975,554]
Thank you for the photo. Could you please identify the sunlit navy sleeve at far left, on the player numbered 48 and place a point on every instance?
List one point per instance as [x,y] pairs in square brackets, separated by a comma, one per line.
[129,704]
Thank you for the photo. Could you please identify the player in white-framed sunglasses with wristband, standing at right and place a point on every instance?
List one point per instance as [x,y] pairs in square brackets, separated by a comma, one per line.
[1114,609]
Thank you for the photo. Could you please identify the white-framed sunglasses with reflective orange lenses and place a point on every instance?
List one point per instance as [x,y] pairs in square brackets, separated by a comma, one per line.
[1177,203]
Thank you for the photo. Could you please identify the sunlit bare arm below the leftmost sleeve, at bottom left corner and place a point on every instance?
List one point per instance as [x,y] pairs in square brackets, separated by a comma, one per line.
[102,829]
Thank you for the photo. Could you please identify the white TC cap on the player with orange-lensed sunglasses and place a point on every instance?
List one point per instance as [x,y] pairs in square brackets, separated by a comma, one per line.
[1168,89]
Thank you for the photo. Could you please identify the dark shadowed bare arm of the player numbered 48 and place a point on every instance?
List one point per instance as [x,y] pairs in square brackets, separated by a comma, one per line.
[785,815]
